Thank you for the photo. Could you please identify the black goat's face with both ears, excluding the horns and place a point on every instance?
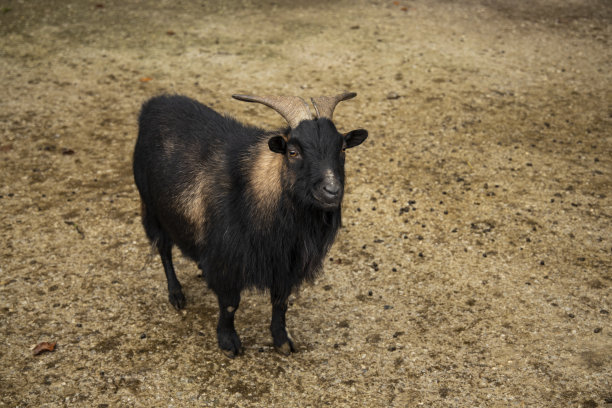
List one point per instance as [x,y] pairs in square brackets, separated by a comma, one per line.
[314,153]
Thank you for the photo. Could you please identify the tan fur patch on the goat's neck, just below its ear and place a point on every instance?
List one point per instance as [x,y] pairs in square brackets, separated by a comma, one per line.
[265,180]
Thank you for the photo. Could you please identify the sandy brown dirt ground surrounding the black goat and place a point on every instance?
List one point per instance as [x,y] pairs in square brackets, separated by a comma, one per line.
[474,265]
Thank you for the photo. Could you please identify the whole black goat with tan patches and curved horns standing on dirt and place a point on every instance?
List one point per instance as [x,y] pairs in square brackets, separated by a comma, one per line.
[254,208]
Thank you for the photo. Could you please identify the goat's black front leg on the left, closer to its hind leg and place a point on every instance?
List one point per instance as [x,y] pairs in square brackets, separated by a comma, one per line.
[228,339]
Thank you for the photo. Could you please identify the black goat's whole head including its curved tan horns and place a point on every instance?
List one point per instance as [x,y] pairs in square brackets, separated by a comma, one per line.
[313,149]
